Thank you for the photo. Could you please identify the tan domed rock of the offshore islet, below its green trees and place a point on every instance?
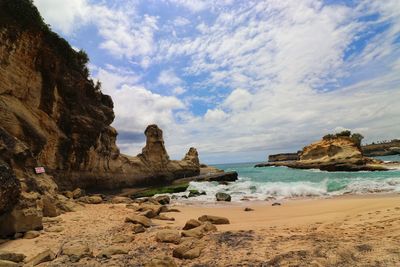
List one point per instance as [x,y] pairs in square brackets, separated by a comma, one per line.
[338,153]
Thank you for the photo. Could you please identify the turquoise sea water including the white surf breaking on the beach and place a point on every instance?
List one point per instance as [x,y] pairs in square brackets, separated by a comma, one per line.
[282,182]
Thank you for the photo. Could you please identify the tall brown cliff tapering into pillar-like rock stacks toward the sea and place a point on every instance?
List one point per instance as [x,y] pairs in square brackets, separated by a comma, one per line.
[53,115]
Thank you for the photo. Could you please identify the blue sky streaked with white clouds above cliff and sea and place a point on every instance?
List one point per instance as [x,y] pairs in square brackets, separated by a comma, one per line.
[240,80]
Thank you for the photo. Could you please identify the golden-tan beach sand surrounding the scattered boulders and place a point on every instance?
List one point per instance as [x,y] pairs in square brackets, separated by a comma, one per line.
[345,231]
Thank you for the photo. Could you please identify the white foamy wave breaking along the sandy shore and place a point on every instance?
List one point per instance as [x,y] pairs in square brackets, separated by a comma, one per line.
[245,188]
